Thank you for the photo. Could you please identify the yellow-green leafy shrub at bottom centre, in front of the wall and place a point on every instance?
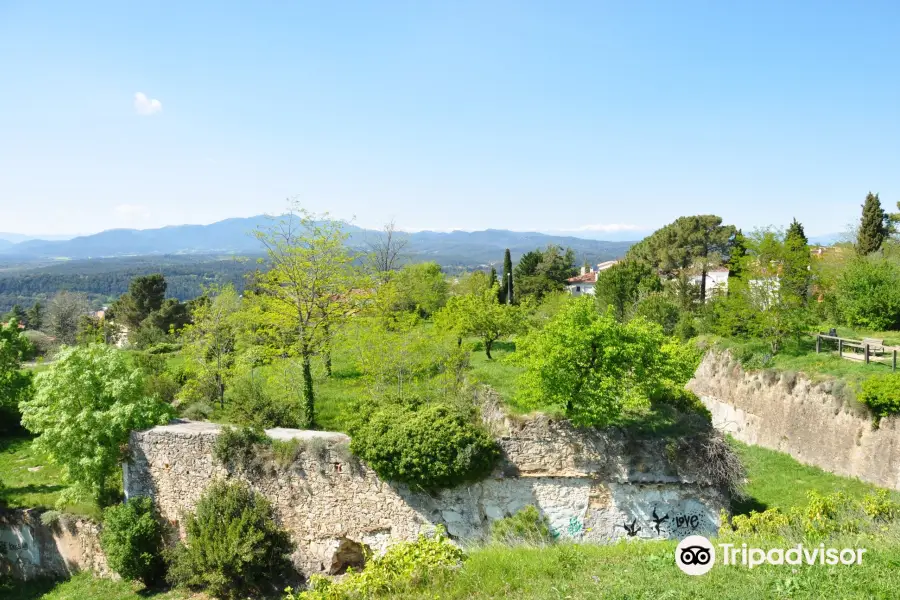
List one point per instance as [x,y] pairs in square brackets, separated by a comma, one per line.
[404,565]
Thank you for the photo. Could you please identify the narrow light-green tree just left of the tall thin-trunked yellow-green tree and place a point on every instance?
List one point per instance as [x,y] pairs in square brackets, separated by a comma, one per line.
[209,346]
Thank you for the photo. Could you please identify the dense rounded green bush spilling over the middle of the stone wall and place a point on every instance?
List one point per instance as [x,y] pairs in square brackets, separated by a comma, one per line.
[430,448]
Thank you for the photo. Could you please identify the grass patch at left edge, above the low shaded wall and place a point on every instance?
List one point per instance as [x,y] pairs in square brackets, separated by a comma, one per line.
[31,489]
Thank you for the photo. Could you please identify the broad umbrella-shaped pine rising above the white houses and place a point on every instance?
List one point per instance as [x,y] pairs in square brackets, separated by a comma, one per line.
[700,242]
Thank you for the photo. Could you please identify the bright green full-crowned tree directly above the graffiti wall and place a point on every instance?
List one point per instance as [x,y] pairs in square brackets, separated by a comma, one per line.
[590,365]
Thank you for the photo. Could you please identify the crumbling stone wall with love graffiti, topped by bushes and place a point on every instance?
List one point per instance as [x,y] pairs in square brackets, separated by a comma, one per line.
[592,485]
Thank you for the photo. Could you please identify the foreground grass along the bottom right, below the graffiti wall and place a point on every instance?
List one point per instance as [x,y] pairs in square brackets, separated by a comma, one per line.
[646,571]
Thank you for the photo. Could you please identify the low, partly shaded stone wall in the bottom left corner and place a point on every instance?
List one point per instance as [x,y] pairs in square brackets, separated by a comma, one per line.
[30,550]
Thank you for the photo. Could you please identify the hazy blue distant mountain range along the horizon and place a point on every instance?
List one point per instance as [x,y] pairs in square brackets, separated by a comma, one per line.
[233,236]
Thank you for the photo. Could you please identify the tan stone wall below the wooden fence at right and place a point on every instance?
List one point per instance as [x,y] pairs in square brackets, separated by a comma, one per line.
[790,413]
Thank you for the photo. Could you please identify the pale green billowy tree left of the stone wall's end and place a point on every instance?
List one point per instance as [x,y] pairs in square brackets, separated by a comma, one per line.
[84,407]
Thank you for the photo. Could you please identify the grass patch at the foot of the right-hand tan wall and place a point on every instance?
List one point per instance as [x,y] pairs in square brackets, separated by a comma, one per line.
[776,480]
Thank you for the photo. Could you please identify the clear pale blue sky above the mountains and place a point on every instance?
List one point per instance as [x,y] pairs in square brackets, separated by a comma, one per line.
[442,115]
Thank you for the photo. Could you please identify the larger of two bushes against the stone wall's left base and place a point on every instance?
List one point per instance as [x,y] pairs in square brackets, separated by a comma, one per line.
[233,547]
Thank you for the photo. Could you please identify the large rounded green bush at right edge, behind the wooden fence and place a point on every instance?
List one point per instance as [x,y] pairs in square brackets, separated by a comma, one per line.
[868,294]
